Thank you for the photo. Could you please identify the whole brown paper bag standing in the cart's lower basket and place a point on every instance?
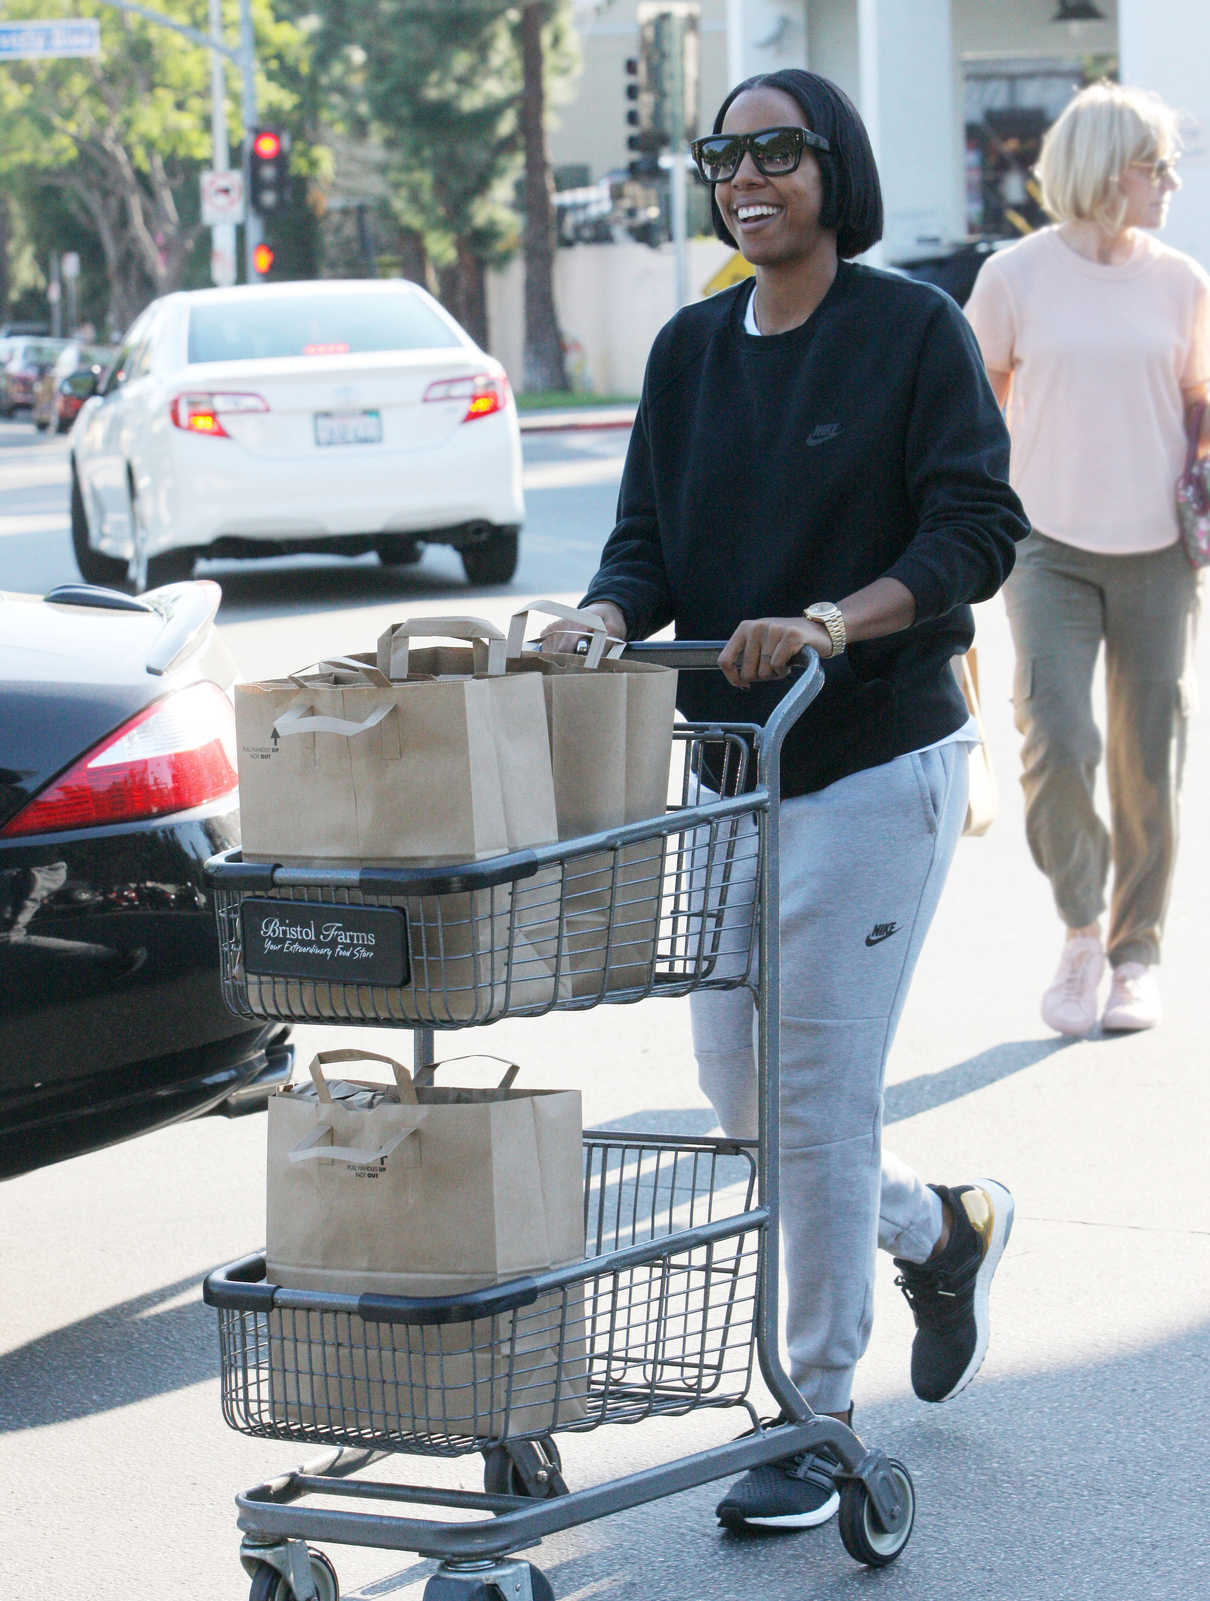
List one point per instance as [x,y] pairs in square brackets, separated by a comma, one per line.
[425,1190]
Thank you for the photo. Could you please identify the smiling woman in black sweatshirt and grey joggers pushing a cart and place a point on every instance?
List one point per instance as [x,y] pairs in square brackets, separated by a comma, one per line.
[819,462]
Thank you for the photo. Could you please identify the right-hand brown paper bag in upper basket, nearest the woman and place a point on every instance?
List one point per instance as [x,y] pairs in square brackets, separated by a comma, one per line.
[611,724]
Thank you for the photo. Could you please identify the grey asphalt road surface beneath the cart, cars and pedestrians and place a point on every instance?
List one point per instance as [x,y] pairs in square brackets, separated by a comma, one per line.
[1075,1467]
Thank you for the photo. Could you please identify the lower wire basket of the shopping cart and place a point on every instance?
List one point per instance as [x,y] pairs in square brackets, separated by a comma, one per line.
[659,1320]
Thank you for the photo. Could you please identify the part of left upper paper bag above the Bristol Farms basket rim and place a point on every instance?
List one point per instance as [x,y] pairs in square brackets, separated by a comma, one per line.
[446,760]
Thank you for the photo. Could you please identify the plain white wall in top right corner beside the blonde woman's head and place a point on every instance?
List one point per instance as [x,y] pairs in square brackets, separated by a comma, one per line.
[1164,46]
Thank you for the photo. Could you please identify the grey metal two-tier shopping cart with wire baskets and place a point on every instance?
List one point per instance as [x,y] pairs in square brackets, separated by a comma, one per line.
[676,1304]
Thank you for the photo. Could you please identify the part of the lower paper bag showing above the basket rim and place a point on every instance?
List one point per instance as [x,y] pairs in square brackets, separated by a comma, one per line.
[428,1182]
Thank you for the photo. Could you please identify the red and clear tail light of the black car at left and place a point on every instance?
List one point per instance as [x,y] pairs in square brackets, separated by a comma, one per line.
[172,756]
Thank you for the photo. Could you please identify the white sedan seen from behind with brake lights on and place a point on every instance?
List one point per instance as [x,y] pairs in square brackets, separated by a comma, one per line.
[332,417]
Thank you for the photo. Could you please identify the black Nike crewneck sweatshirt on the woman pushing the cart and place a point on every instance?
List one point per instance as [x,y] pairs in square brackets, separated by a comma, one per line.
[766,473]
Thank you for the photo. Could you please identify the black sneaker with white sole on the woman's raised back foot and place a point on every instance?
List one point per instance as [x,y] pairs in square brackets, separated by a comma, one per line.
[950,1296]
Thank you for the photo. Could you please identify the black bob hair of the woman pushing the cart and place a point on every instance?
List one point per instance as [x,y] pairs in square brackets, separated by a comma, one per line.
[852,195]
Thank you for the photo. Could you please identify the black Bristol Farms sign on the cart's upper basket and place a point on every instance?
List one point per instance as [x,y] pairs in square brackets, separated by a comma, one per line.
[347,945]
